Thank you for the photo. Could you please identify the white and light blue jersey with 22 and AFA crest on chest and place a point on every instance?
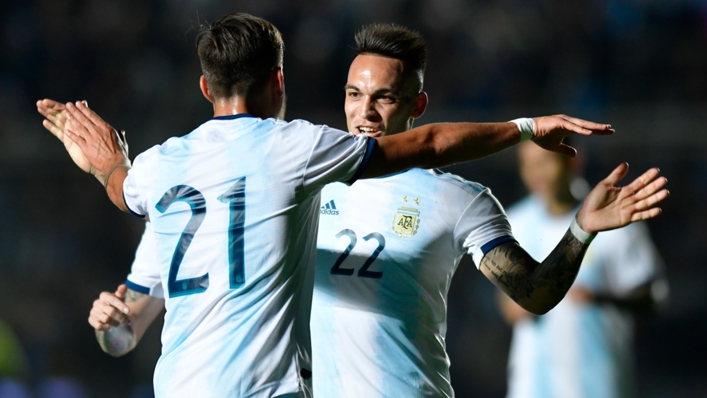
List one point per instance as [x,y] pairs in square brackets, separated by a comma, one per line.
[386,252]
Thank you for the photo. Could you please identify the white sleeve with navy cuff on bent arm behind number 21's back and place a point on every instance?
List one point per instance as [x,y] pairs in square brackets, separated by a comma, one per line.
[144,274]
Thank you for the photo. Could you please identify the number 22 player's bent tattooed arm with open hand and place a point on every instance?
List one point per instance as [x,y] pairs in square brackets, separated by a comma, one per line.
[538,287]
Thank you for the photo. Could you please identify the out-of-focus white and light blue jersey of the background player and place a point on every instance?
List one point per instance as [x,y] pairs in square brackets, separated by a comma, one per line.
[578,350]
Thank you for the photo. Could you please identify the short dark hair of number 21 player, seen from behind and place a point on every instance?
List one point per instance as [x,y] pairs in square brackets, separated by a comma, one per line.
[237,53]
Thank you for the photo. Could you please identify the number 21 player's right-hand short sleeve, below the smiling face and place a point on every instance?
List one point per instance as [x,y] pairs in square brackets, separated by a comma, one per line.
[336,156]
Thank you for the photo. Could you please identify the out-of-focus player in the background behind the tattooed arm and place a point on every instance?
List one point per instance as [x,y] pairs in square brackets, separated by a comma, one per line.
[583,347]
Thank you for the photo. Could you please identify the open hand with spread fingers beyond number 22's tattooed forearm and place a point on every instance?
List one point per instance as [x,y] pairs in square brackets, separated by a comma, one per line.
[609,207]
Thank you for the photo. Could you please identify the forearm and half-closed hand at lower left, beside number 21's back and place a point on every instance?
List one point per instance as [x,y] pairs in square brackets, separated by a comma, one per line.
[121,319]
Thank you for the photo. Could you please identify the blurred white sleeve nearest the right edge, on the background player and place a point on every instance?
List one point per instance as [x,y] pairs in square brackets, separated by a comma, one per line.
[630,257]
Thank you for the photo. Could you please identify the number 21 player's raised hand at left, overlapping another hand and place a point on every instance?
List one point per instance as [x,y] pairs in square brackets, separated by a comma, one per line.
[103,146]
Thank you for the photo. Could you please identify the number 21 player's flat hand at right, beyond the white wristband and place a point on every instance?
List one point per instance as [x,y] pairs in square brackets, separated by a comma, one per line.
[551,130]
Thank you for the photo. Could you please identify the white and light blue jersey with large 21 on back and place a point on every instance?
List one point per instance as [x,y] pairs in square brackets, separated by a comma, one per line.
[234,208]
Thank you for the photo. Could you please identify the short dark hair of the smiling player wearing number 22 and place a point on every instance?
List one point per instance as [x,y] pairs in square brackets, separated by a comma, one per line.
[394,41]
